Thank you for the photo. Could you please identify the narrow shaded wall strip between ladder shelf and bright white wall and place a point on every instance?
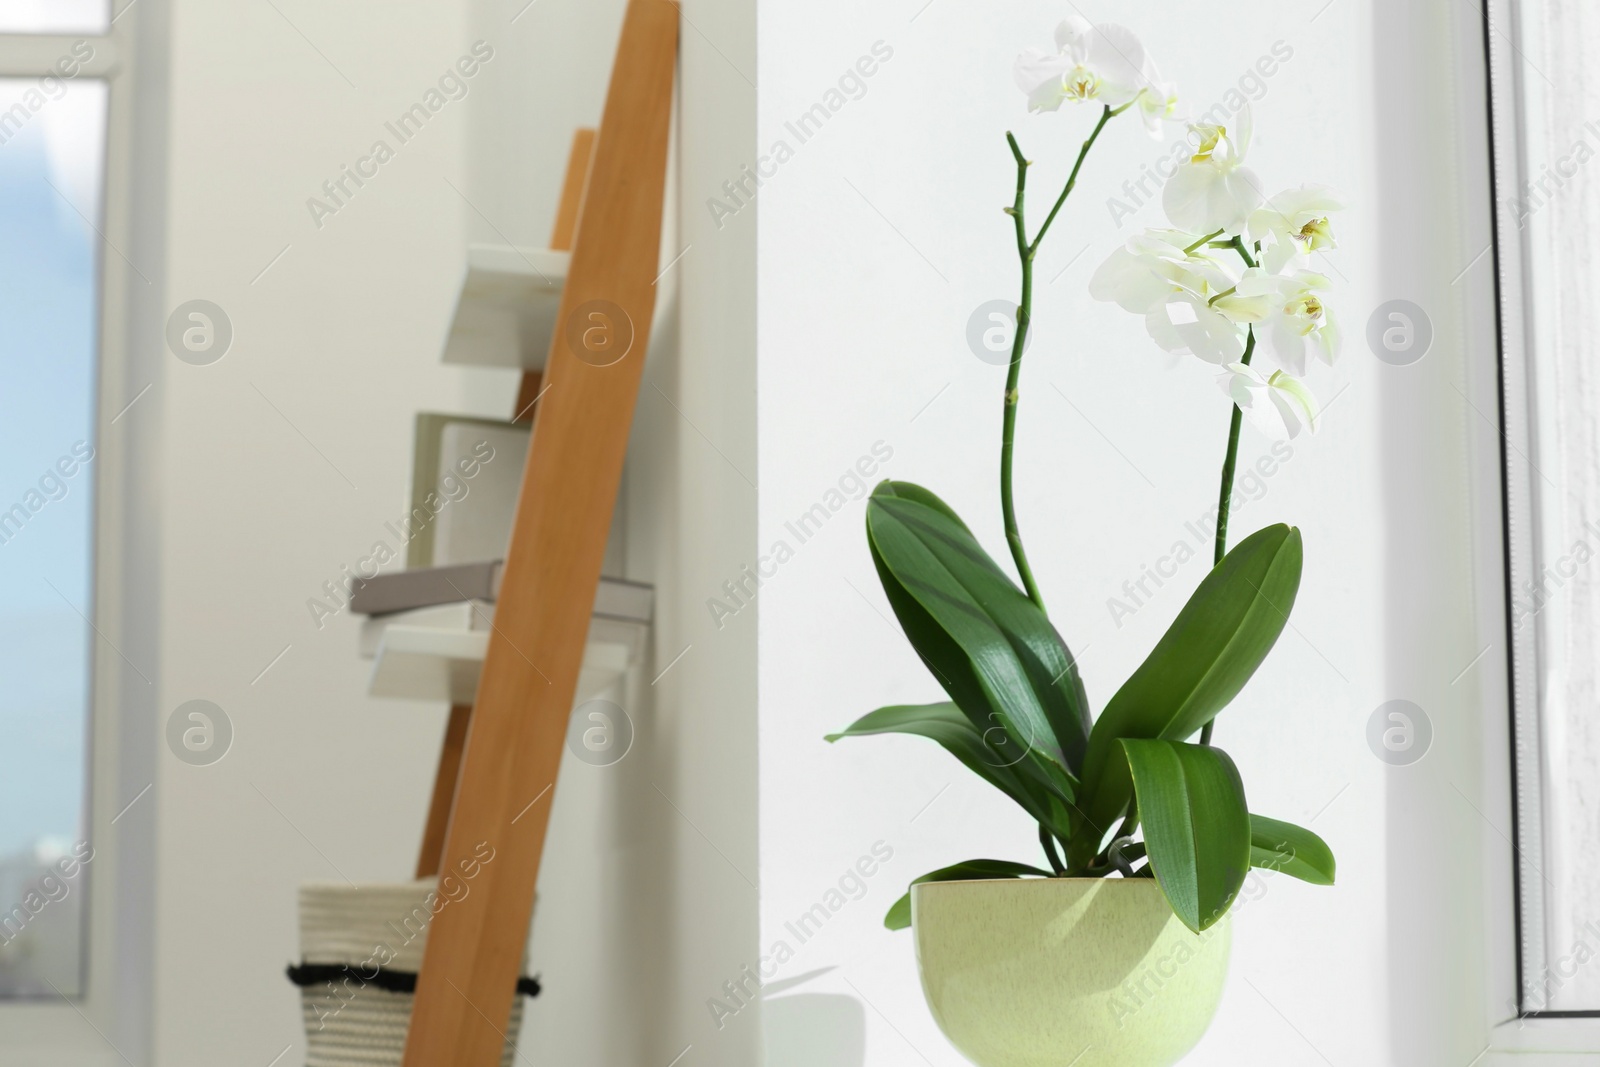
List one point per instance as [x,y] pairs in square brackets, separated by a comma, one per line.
[692,526]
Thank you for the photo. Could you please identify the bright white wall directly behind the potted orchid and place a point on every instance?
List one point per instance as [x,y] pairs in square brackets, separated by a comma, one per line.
[878,242]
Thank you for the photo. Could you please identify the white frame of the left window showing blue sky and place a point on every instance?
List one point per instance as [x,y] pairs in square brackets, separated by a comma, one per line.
[113,1021]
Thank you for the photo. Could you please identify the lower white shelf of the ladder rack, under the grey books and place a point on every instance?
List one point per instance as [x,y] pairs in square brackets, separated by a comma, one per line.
[438,653]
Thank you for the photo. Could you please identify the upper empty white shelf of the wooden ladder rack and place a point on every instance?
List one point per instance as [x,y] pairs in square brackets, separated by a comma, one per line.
[508,308]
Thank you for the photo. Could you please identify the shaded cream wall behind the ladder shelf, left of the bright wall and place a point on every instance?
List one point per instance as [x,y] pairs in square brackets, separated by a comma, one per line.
[282,462]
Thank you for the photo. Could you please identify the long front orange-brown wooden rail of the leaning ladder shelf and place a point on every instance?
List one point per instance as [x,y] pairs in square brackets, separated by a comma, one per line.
[553,567]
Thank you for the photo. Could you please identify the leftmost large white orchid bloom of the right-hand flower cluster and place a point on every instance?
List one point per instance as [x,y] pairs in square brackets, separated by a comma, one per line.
[1190,302]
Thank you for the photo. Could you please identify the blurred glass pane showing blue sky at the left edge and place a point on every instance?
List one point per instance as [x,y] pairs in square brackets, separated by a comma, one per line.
[52,169]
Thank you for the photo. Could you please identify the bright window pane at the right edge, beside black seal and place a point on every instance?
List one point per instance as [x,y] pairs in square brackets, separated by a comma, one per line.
[1548,210]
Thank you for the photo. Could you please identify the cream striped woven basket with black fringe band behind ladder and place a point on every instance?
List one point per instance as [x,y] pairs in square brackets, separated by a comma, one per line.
[361,951]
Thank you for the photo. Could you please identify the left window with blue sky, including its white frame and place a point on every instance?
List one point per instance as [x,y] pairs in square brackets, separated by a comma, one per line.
[65,90]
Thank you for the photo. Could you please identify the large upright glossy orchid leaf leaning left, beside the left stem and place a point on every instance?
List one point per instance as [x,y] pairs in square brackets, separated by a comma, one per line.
[1026,681]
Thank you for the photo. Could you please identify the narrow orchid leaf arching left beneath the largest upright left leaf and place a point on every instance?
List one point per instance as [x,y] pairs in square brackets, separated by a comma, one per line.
[1046,799]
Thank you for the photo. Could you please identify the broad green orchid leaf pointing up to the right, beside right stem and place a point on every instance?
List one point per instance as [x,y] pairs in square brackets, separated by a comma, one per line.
[1199,666]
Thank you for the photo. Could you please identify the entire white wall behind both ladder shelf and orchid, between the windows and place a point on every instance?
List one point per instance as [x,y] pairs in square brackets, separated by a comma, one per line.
[878,241]
